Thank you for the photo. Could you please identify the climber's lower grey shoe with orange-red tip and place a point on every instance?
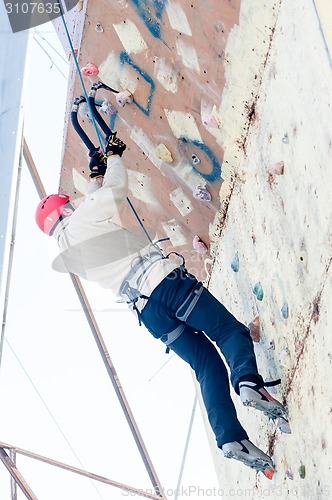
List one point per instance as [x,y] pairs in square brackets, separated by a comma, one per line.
[249,454]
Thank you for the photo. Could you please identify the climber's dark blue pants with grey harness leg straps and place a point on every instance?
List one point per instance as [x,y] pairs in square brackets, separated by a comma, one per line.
[161,316]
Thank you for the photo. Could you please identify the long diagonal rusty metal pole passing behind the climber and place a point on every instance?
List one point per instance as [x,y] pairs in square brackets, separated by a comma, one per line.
[102,347]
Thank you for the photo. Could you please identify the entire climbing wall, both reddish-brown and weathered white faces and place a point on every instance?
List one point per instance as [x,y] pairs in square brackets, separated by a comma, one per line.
[239,93]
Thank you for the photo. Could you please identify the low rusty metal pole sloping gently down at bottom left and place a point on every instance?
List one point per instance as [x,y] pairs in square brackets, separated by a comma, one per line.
[76,470]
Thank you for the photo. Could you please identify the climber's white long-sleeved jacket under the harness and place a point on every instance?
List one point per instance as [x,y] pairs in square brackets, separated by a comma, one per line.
[95,248]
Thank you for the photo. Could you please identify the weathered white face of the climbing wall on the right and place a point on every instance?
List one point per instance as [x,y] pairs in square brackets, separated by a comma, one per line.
[273,257]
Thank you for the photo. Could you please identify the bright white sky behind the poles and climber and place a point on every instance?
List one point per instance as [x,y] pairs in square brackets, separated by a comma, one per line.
[50,336]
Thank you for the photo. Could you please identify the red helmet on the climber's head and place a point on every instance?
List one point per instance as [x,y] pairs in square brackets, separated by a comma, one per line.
[49,211]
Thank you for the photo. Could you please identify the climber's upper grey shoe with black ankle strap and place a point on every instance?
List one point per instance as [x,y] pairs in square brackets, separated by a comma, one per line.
[256,396]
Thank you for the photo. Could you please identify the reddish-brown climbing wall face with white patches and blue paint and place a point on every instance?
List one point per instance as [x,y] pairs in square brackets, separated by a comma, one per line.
[171,57]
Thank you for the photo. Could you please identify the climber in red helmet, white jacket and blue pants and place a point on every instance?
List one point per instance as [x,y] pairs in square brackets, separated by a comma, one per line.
[169,301]
